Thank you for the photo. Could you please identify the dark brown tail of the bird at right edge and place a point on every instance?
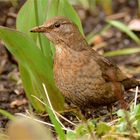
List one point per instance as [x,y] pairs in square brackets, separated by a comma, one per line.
[130,83]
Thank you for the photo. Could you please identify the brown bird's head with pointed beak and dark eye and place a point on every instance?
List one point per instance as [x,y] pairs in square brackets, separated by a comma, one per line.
[59,29]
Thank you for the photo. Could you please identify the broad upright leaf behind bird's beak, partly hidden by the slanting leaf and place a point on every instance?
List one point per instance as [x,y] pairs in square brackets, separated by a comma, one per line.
[35,17]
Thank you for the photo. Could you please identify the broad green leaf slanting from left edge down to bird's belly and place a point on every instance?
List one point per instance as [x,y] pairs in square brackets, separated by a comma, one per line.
[32,59]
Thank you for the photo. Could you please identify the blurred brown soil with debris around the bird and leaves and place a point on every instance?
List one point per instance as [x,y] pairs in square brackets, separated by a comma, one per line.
[12,95]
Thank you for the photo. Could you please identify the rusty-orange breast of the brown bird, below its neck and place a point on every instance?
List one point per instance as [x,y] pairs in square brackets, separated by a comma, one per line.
[67,66]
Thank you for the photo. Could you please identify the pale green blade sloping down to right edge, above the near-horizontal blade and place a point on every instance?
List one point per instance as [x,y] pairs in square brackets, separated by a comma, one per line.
[122,27]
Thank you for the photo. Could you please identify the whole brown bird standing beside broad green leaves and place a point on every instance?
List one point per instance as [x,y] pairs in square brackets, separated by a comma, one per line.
[84,77]
